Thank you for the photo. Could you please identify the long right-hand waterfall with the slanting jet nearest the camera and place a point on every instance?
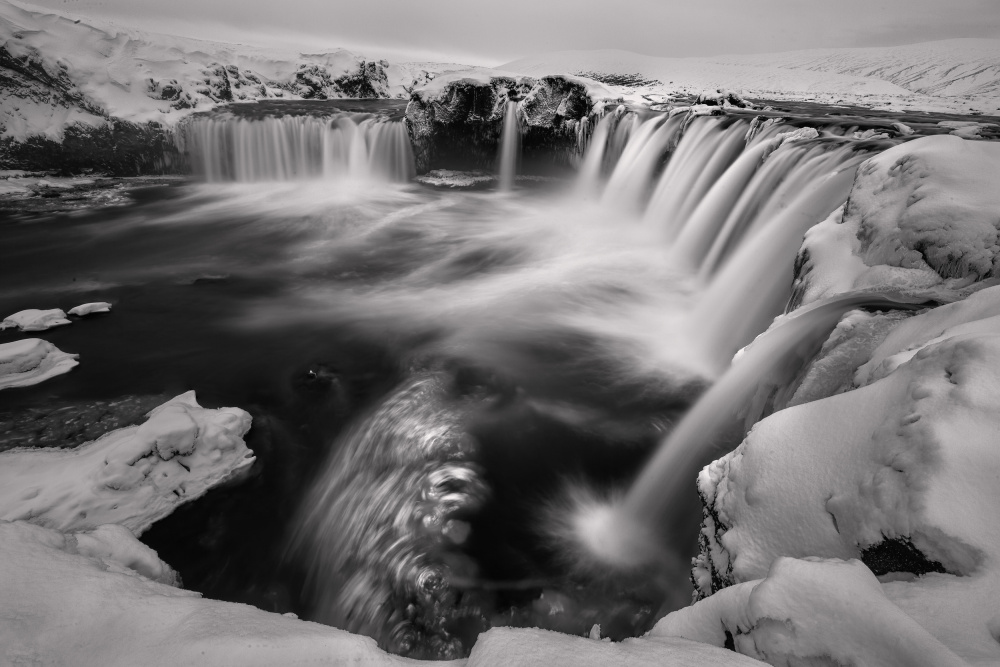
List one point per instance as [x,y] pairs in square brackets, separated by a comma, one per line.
[732,204]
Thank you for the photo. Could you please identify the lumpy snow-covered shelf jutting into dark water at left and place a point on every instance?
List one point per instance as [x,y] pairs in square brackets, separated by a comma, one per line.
[132,476]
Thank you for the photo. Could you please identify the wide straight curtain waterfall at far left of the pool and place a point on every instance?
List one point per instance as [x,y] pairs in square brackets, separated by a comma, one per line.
[285,148]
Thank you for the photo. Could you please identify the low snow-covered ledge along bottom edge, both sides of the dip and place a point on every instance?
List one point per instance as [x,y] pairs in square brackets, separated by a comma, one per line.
[87,599]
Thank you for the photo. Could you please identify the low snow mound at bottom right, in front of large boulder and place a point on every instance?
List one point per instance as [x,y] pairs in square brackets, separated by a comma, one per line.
[811,612]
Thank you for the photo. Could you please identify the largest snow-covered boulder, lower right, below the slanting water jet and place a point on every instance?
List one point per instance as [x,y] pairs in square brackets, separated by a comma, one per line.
[901,472]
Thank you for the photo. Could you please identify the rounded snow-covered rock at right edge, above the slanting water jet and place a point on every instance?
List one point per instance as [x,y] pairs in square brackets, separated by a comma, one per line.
[922,218]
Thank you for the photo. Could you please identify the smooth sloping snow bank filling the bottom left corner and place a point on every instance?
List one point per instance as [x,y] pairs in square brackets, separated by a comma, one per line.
[67,604]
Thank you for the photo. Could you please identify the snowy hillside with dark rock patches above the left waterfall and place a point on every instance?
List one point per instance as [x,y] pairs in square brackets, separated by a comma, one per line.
[56,70]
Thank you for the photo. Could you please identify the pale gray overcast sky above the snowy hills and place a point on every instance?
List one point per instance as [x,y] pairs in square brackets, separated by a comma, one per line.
[496,31]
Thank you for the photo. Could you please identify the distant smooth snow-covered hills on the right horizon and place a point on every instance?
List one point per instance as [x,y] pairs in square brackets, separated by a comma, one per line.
[961,75]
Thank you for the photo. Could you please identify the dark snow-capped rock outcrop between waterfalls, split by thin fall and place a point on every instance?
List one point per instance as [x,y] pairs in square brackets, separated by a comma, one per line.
[455,121]
